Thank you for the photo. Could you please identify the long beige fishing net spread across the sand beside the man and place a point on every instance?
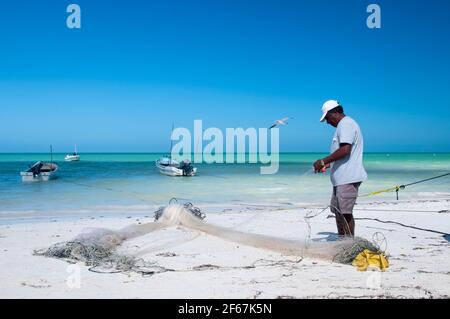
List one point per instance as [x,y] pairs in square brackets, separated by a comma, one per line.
[97,248]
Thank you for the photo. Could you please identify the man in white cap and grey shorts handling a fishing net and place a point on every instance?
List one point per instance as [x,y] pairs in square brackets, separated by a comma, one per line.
[346,162]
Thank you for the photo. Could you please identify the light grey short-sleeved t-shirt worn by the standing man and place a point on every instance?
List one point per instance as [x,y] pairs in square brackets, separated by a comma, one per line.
[350,169]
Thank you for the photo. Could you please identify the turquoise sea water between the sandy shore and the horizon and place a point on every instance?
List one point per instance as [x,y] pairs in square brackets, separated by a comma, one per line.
[102,183]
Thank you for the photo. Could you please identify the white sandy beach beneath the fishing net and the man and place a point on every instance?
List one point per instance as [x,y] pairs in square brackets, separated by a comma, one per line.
[203,266]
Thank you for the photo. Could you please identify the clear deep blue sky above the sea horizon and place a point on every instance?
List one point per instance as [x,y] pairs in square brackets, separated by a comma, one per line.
[135,66]
